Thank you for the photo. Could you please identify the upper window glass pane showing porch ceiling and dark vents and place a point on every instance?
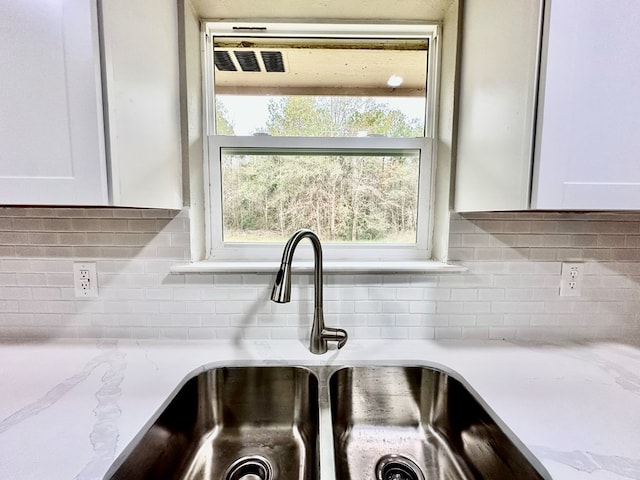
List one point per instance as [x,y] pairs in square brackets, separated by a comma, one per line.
[320,86]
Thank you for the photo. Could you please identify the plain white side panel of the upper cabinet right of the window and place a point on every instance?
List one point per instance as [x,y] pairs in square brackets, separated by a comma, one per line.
[498,80]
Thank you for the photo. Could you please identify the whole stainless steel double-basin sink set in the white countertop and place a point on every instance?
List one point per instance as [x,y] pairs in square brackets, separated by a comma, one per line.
[321,423]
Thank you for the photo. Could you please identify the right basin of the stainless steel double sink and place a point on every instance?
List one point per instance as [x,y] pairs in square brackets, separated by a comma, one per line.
[401,423]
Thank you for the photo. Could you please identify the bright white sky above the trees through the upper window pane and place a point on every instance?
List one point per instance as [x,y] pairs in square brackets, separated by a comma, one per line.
[248,113]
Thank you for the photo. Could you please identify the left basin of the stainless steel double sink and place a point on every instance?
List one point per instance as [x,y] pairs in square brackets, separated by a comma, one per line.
[236,423]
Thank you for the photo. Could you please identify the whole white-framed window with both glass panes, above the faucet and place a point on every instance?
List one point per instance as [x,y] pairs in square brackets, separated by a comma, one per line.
[327,127]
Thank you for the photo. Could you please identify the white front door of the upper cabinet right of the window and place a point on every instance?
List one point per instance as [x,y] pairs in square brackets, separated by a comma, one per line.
[588,135]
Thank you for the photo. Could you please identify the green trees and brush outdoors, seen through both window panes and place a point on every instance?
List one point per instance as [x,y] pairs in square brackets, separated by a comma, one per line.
[342,198]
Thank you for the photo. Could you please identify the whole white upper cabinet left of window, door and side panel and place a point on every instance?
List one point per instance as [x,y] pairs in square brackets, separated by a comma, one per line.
[65,141]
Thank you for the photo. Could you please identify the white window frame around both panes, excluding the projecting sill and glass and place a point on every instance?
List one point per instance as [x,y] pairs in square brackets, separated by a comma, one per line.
[219,251]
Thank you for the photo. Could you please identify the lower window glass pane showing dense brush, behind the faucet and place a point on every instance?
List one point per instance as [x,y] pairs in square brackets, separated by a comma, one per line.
[347,196]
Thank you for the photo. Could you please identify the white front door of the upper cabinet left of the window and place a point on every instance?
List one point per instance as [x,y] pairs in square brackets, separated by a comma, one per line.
[51,130]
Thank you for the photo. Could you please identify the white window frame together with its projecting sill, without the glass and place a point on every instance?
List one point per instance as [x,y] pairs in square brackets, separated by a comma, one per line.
[240,257]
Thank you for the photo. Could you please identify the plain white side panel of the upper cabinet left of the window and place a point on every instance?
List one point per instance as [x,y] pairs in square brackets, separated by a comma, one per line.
[142,76]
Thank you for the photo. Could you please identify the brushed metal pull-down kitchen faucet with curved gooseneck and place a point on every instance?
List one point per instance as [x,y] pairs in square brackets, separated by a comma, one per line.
[281,292]
